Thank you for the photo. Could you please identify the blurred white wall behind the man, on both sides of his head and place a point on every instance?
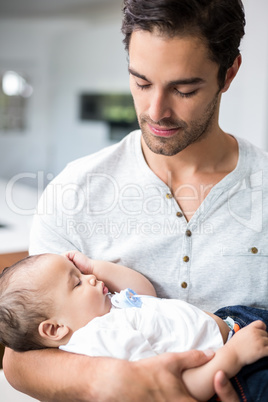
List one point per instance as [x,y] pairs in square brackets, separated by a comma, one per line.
[66,57]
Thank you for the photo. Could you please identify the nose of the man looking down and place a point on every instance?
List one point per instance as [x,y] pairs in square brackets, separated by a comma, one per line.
[159,106]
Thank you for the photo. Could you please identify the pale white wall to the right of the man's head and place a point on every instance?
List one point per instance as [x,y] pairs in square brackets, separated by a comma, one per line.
[245,105]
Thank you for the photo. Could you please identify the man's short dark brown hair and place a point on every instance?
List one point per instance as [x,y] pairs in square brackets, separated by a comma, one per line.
[220,23]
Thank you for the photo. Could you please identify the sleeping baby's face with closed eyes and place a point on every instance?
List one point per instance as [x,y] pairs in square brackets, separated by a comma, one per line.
[77,298]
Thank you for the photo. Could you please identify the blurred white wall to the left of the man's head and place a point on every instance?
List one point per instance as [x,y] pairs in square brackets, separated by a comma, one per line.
[63,58]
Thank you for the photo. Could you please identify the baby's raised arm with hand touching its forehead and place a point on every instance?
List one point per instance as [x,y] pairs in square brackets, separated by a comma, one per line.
[116,277]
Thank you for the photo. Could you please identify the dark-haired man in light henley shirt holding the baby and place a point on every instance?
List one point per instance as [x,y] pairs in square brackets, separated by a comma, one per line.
[173,203]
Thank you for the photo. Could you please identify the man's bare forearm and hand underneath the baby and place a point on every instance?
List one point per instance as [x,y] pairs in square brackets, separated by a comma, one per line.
[53,375]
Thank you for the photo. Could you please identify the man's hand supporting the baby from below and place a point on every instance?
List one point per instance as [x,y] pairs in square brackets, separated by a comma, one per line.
[156,379]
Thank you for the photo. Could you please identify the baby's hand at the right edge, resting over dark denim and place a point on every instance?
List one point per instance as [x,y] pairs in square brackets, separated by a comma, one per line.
[250,343]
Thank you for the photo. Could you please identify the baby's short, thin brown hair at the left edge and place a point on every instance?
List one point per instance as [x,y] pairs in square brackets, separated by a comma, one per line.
[21,309]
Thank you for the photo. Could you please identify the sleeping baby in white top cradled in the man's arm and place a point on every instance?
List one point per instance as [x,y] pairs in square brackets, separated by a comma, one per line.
[46,301]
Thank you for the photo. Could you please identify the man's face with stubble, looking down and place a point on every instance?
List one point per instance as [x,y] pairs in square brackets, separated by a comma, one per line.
[175,90]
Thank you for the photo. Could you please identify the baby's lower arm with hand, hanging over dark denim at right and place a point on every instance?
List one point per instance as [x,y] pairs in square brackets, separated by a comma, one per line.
[247,346]
